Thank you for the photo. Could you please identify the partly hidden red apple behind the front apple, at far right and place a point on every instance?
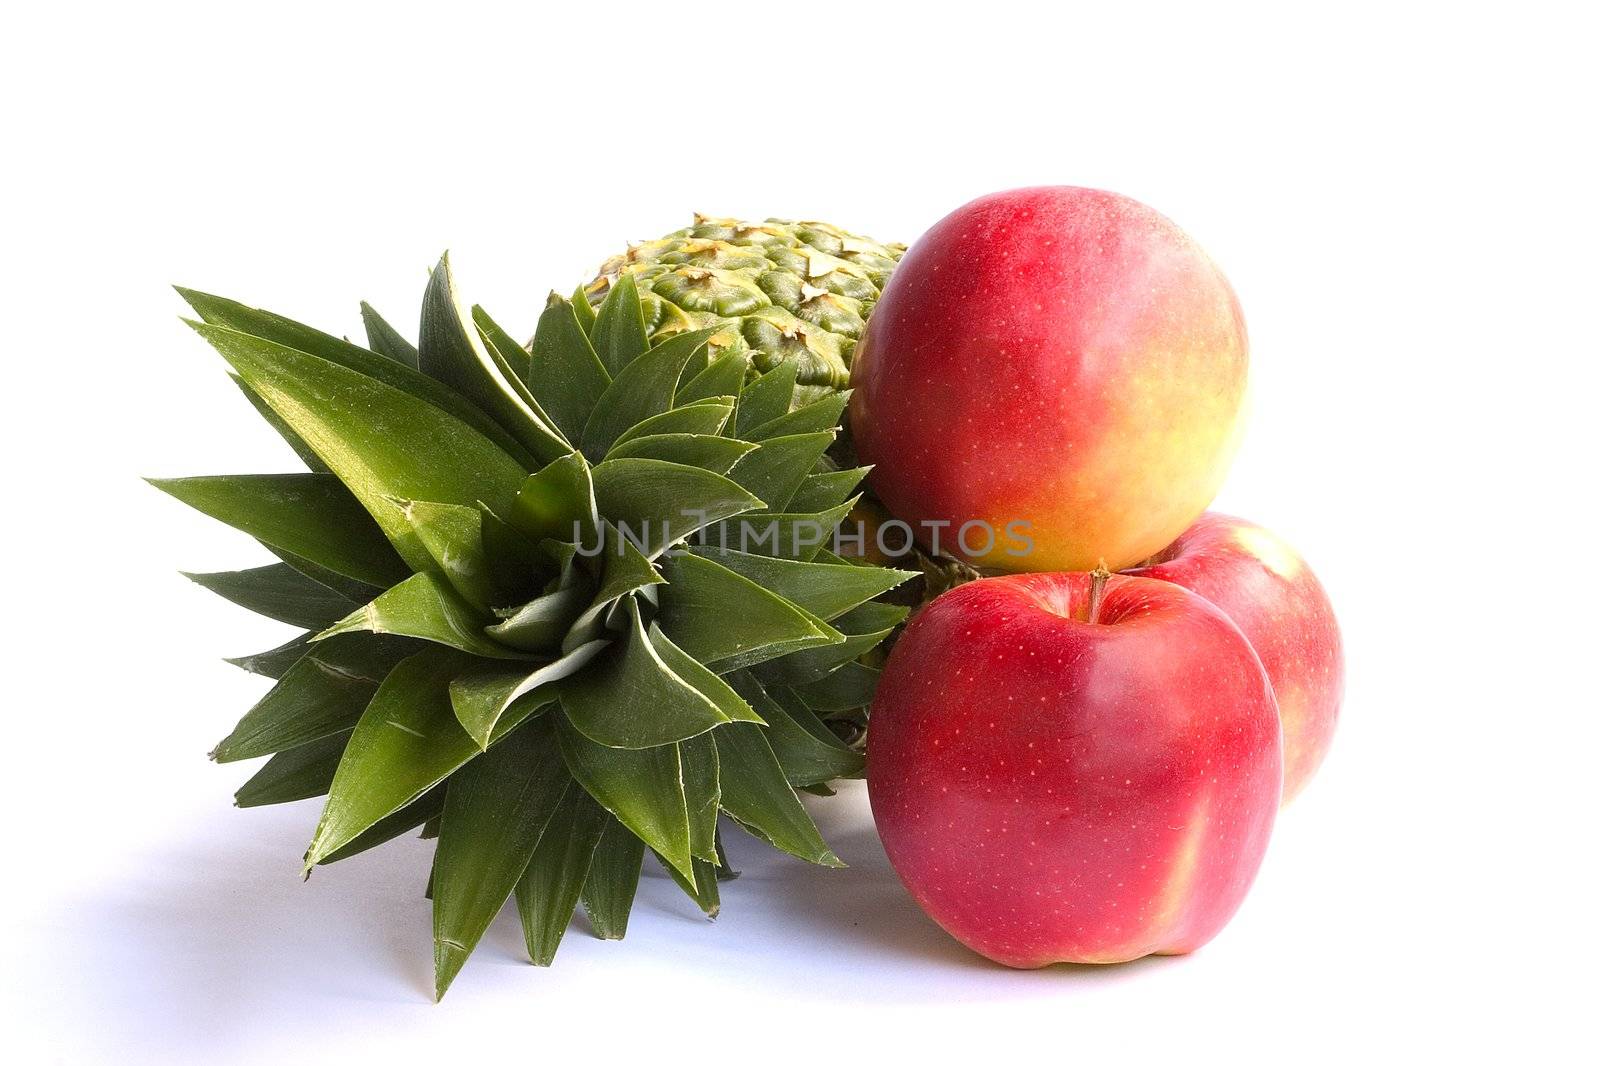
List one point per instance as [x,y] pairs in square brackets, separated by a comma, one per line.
[1273,596]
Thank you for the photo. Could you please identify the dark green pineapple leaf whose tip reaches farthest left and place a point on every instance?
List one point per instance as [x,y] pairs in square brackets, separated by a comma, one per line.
[310,515]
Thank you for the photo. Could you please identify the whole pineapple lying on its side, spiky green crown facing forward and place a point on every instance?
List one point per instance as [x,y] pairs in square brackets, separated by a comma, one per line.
[564,604]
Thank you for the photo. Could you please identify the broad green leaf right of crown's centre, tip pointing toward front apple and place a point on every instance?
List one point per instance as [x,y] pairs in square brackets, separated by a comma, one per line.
[726,620]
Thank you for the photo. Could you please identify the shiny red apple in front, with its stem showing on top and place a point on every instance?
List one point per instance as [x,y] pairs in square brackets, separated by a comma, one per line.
[1060,791]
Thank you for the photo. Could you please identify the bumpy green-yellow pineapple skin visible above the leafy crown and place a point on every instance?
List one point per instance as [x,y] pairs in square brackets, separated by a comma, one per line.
[775,291]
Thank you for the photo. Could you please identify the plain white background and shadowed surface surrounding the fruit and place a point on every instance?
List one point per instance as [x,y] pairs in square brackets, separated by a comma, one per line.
[1404,199]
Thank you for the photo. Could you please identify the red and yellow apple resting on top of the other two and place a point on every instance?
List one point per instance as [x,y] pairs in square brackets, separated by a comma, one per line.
[1058,356]
